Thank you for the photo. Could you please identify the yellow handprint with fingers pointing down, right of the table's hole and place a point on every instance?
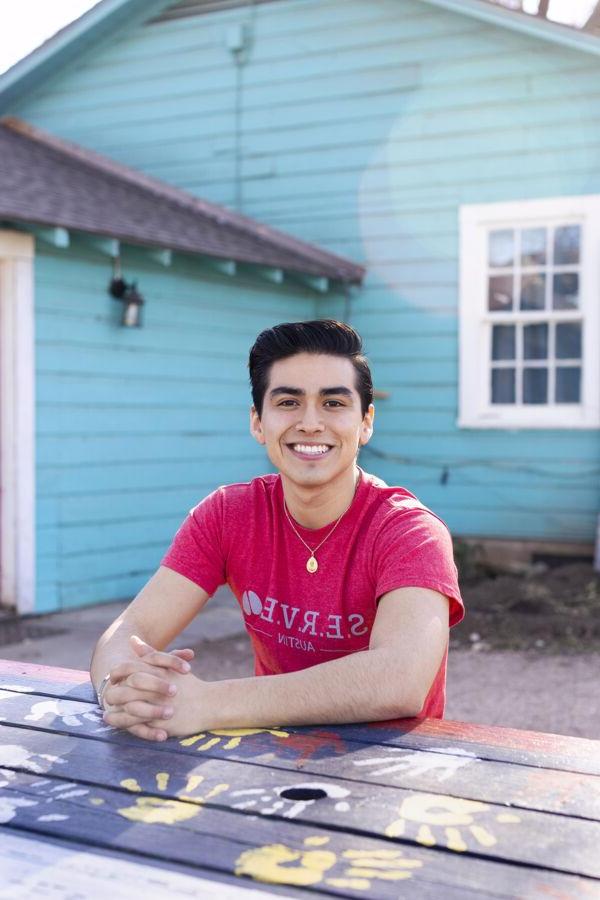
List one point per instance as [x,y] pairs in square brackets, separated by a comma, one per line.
[447,813]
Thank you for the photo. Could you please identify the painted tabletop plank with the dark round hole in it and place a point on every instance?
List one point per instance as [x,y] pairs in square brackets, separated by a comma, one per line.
[443,819]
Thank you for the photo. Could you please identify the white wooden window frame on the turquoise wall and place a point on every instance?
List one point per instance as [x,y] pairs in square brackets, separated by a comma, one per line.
[476,221]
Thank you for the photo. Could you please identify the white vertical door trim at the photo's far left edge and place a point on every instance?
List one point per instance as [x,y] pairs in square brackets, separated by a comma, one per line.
[17,421]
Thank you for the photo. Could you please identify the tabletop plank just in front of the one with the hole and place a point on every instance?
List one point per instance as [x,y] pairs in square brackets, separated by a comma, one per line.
[186,831]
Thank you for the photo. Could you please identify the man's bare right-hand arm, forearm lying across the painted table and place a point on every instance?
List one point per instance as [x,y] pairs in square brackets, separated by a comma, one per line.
[389,680]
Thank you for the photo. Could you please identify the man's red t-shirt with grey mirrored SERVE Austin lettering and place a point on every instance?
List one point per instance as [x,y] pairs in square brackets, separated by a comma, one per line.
[387,539]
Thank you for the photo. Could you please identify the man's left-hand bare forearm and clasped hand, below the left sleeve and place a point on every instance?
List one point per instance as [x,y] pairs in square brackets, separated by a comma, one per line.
[161,610]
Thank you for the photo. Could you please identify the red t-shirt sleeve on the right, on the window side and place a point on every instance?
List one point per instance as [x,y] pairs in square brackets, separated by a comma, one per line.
[414,549]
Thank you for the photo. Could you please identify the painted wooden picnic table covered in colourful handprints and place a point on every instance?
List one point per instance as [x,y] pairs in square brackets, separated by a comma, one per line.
[411,808]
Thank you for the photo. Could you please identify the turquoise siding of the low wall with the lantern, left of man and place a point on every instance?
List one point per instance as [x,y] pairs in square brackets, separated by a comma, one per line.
[135,426]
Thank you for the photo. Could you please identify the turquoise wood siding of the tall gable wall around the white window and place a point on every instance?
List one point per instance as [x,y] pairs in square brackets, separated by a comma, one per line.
[364,126]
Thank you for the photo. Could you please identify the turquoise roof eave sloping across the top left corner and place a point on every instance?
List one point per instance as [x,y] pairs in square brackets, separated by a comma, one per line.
[94,26]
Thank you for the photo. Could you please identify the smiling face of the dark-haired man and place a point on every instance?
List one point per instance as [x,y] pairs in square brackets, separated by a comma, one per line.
[311,423]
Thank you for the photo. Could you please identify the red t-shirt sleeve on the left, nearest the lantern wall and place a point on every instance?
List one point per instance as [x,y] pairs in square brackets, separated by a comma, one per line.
[197,549]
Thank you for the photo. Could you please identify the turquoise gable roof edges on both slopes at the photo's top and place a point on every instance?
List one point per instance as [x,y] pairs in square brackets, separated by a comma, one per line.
[107,16]
